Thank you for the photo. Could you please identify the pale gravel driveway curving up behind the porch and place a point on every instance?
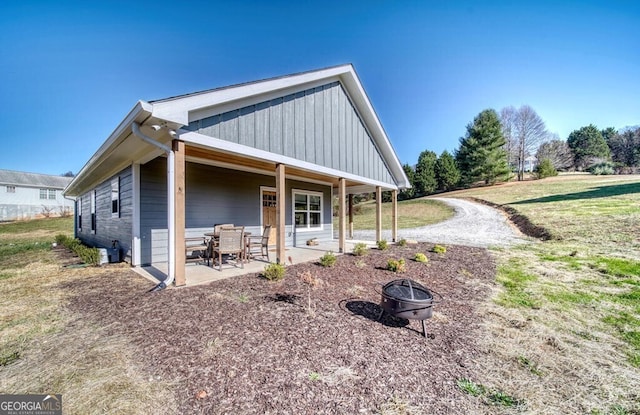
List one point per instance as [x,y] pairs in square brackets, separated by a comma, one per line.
[474,224]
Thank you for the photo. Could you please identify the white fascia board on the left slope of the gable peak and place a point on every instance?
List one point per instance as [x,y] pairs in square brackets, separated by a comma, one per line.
[177,110]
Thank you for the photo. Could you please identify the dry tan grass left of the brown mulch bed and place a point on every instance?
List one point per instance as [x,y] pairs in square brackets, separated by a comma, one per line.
[47,349]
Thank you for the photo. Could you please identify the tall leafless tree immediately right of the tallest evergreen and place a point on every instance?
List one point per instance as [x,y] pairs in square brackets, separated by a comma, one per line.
[529,132]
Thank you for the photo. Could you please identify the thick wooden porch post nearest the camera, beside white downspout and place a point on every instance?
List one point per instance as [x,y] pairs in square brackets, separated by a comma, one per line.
[179,203]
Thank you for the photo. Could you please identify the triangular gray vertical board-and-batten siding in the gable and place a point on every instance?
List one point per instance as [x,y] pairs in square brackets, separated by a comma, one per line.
[318,125]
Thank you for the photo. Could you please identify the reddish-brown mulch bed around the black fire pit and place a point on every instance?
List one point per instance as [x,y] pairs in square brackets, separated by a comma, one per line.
[246,345]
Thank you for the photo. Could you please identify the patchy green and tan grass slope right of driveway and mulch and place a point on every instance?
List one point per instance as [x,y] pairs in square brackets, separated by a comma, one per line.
[570,305]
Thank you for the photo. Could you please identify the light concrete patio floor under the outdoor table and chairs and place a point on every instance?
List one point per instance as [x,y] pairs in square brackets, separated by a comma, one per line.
[200,273]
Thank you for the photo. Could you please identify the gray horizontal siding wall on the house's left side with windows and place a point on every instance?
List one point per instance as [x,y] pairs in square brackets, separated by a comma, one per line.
[109,228]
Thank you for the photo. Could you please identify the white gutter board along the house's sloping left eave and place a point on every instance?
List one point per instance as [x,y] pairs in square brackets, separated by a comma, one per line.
[120,133]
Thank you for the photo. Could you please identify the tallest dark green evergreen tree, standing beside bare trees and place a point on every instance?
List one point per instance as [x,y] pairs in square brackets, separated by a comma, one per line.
[481,155]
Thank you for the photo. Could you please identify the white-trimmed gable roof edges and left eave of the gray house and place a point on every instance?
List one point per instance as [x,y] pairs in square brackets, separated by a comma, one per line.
[174,113]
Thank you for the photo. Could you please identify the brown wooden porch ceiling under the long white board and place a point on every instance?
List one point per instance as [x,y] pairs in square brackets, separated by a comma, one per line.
[240,162]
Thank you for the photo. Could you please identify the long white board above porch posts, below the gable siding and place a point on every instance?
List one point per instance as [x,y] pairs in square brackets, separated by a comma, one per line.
[205,141]
